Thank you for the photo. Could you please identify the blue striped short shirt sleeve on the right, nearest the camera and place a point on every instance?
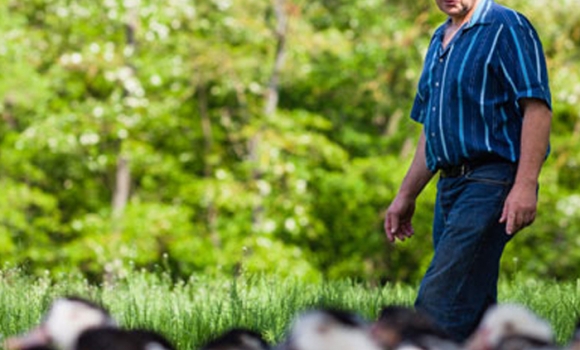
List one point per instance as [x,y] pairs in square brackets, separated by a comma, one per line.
[523,63]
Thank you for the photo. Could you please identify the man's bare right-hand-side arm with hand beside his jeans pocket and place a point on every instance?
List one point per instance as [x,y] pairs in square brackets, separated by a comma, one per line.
[519,209]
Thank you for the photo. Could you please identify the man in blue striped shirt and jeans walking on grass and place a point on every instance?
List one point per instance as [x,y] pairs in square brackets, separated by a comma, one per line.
[484,102]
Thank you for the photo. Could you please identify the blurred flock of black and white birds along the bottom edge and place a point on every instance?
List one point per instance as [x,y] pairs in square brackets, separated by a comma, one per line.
[74,323]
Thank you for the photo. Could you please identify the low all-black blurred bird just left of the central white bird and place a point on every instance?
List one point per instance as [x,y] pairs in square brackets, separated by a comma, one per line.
[237,339]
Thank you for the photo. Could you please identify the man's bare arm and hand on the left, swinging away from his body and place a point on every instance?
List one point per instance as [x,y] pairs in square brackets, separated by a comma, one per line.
[400,212]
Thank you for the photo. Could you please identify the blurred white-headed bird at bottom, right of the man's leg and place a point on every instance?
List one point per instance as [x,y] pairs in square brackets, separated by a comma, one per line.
[511,327]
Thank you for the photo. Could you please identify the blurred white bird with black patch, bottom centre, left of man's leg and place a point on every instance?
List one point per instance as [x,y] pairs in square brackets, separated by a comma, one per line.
[327,329]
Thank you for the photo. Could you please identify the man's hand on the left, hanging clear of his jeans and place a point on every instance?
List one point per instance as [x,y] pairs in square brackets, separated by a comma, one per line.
[398,219]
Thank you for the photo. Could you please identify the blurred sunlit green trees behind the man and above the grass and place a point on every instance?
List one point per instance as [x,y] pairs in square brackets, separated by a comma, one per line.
[222,136]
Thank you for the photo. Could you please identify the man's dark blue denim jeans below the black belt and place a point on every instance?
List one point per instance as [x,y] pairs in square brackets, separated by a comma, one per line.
[461,281]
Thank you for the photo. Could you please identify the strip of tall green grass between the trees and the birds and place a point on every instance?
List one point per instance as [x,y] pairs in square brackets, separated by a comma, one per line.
[190,312]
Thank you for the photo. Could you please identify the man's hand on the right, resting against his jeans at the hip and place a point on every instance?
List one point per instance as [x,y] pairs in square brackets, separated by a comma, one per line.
[519,209]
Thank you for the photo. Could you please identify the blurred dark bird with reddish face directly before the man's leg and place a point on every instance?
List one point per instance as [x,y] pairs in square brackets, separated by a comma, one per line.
[400,327]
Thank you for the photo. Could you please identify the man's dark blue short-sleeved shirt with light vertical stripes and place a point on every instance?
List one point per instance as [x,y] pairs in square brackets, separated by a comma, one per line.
[468,93]
